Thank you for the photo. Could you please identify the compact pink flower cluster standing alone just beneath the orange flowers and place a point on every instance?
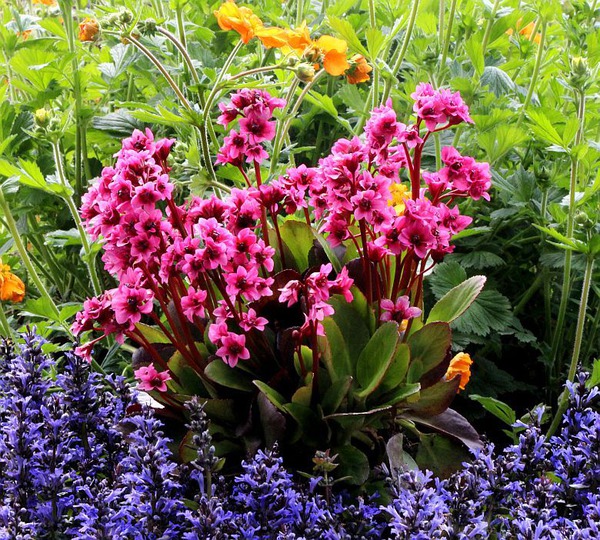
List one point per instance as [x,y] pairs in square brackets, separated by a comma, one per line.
[256,110]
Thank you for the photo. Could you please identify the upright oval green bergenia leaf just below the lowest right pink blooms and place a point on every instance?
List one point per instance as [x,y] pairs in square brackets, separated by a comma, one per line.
[376,358]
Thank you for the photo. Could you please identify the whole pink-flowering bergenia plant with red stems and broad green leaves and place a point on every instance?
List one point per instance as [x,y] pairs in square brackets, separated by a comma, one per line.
[294,305]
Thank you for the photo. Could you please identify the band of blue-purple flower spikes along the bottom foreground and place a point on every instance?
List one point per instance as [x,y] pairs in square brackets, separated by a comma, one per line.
[78,459]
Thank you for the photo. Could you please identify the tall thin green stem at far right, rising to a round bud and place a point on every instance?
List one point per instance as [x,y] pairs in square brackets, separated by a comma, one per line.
[566,285]
